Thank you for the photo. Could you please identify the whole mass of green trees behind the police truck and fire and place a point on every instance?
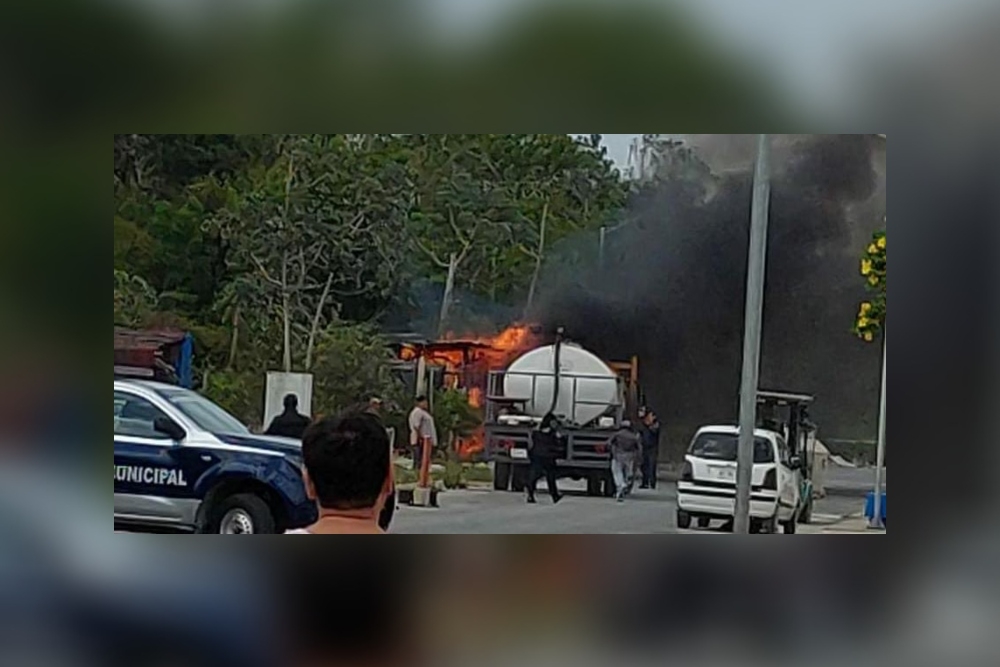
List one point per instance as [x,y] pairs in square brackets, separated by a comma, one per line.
[287,251]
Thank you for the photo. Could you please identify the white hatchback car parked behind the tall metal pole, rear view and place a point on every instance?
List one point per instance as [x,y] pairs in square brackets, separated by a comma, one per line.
[707,488]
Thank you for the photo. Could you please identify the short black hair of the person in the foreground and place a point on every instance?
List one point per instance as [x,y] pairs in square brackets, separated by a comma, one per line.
[347,458]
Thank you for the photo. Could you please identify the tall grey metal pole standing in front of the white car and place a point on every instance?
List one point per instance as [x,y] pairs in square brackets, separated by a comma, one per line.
[756,267]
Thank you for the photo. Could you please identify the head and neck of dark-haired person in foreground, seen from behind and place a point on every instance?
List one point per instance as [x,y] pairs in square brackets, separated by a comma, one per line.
[347,472]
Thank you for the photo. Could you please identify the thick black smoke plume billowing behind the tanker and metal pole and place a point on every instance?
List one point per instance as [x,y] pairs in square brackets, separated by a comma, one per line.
[672,290]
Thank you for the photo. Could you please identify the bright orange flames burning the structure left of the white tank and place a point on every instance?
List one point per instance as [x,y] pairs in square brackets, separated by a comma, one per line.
[468,360]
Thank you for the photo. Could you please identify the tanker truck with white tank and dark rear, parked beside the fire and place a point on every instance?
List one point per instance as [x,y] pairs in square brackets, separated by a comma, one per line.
[591,397]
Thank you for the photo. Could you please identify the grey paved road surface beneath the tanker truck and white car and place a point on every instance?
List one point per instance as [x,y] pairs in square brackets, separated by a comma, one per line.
[488,512]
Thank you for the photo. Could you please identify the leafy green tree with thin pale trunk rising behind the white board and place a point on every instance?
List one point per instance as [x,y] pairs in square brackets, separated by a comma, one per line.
[312,233]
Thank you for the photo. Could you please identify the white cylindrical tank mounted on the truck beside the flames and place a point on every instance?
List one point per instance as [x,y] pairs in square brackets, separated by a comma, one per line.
[582,373]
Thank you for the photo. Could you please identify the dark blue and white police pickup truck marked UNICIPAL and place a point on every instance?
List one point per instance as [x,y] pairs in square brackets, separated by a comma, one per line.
[183,463]
